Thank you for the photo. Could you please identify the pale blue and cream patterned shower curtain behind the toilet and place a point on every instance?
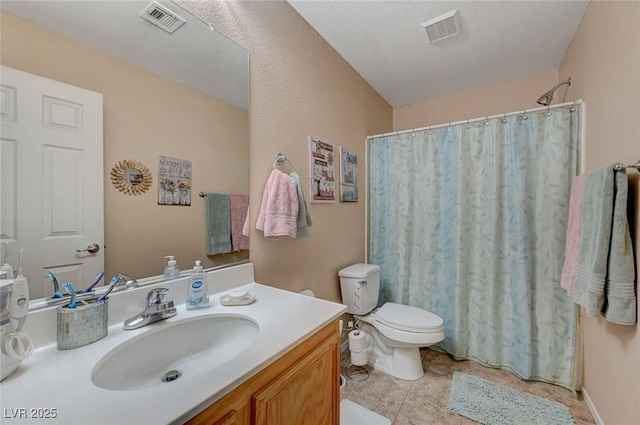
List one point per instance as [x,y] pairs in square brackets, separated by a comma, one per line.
[469,222]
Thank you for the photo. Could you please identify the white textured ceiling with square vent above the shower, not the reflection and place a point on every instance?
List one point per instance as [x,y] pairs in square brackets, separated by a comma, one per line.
[500,41]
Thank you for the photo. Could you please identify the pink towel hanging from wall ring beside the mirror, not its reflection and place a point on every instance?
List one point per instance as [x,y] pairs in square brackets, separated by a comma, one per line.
[278,216]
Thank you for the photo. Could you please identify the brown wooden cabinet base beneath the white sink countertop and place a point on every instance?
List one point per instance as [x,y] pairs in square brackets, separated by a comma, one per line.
[301,387]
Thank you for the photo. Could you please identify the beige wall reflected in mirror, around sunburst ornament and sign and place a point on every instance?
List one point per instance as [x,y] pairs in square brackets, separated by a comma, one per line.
[140,123]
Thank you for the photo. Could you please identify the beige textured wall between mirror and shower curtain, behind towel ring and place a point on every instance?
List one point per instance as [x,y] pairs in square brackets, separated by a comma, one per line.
[299,86]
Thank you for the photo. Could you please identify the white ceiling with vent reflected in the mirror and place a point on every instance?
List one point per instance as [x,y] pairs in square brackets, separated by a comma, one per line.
[193,55]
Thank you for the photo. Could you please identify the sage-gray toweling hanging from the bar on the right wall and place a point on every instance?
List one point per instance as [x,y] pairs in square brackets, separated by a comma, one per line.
[605,279]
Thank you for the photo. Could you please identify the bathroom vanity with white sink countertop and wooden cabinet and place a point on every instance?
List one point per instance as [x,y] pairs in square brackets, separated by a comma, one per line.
[286,372]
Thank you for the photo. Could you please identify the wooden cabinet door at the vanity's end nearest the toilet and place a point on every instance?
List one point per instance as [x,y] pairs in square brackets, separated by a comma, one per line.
[308,393]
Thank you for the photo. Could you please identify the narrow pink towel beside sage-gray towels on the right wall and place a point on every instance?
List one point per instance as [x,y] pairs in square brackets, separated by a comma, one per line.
[574,231]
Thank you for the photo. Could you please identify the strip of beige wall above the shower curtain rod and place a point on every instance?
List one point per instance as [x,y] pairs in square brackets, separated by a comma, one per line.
[501,98]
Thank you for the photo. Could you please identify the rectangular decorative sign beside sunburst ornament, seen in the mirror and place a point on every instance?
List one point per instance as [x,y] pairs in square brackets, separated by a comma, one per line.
[174,176]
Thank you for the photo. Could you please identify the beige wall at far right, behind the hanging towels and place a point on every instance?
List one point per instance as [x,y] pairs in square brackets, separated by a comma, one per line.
[604,63]
